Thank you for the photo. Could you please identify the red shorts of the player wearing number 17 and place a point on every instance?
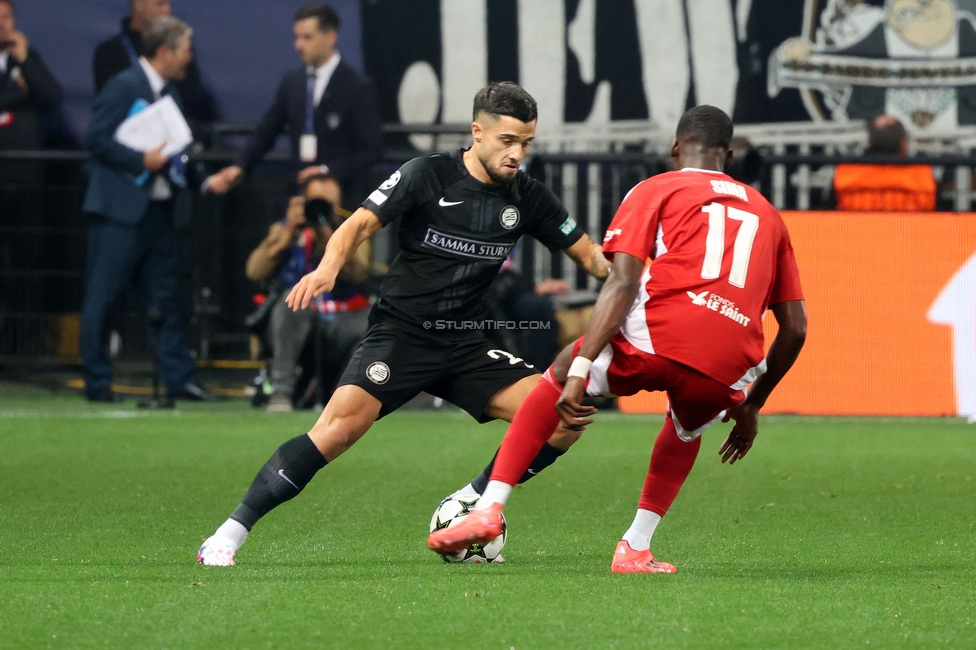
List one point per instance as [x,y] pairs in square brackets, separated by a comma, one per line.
[695,401]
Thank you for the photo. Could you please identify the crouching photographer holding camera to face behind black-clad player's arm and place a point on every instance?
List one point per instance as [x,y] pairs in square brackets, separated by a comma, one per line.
[293,247]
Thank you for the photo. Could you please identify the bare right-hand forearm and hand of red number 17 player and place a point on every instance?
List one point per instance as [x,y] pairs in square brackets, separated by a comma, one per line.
[791,317]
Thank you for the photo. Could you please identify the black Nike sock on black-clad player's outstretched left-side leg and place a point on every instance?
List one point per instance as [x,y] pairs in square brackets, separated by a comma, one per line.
[285,474]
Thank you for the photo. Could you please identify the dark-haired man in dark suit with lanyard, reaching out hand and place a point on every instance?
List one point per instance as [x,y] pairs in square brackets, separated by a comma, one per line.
[327,109]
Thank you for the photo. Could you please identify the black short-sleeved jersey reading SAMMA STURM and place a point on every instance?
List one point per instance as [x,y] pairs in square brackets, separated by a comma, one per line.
[455,234]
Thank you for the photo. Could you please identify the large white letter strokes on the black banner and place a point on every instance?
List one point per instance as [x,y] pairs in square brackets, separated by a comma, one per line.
[682,43]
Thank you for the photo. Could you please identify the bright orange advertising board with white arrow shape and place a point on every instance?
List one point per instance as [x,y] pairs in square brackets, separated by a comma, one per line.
[891,301]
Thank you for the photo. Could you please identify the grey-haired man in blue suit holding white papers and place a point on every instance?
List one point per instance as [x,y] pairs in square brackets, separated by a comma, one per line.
[131,237]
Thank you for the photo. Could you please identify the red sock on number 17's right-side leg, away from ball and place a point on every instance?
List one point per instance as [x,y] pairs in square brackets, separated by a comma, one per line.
[671,462]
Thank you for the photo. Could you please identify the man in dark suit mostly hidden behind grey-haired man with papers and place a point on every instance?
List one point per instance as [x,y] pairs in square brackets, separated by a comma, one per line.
[122,51]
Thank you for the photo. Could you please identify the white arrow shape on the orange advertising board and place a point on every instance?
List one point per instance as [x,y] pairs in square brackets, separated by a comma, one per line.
[956,307]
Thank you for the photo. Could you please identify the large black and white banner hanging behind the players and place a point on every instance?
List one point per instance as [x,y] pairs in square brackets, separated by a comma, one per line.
[607,61]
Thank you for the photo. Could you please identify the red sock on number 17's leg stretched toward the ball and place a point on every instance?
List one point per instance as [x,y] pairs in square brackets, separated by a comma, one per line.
[534,423]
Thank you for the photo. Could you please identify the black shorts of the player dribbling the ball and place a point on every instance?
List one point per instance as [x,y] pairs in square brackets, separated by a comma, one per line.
[394,367]
